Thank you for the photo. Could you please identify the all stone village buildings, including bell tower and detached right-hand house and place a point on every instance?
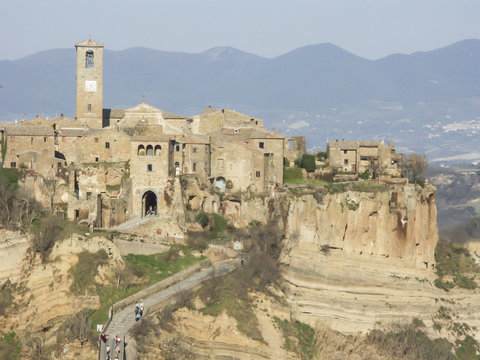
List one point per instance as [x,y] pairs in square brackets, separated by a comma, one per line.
[100,149]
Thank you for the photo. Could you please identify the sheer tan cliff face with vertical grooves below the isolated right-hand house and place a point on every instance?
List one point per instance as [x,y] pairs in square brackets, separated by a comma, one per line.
[395,222]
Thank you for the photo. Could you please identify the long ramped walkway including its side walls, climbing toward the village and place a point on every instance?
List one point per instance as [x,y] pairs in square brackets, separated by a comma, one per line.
[154,299]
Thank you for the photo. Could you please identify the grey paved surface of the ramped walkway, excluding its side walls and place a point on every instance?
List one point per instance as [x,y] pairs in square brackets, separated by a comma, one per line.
[123,321]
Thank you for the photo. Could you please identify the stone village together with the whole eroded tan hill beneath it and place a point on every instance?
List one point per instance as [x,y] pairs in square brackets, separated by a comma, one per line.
[215,189]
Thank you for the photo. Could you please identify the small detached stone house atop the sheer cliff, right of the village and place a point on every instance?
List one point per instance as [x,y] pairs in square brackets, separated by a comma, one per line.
[360,156]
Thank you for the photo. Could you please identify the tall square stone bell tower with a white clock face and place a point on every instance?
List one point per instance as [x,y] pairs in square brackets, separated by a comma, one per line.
[90,83]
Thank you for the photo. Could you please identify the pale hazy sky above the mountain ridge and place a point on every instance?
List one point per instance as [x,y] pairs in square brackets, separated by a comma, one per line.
[369,28]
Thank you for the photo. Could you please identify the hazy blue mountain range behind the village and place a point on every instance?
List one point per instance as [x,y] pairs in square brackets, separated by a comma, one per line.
[300,85]
